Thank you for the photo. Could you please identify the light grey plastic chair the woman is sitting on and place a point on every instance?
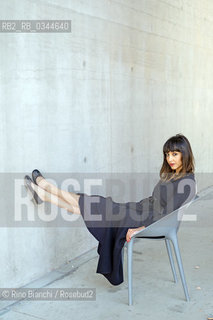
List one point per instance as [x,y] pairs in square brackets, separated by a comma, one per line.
[166,229]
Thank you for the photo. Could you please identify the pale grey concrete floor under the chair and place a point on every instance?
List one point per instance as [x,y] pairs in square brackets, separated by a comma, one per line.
[155,295]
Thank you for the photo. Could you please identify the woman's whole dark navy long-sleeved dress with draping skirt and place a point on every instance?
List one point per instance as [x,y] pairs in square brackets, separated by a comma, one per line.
[109,221]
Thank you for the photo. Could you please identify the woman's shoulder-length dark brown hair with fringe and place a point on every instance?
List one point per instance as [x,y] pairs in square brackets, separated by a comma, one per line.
[177,143]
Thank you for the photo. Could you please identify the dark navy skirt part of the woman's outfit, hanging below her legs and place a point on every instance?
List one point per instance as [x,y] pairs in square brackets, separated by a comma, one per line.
[108,222]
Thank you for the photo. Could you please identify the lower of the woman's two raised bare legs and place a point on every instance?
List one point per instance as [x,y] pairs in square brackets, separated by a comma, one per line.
[71,206]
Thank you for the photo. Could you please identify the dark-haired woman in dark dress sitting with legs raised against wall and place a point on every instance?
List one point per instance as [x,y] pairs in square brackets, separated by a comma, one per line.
[120,221]
